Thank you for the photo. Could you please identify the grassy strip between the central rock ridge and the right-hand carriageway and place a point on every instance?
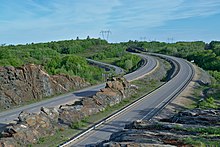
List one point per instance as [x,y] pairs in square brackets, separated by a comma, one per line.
[145,85]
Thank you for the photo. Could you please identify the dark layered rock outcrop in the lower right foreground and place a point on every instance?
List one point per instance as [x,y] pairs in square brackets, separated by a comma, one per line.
[189,124]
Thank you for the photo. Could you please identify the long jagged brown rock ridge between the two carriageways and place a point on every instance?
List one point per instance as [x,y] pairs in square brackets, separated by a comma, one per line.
[30,127]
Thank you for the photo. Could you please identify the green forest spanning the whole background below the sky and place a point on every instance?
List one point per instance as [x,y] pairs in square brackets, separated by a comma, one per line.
[69,56]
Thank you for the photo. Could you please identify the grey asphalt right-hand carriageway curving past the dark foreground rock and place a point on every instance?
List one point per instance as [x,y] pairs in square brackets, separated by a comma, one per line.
[143,109]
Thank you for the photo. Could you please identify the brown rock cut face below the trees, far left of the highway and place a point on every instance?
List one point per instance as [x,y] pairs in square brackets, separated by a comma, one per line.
[18,85]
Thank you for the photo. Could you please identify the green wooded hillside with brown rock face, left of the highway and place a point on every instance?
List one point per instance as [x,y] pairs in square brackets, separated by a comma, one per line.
[32,72]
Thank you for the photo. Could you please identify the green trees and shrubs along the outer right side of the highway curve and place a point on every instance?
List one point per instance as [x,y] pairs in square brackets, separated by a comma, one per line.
[204,55]
